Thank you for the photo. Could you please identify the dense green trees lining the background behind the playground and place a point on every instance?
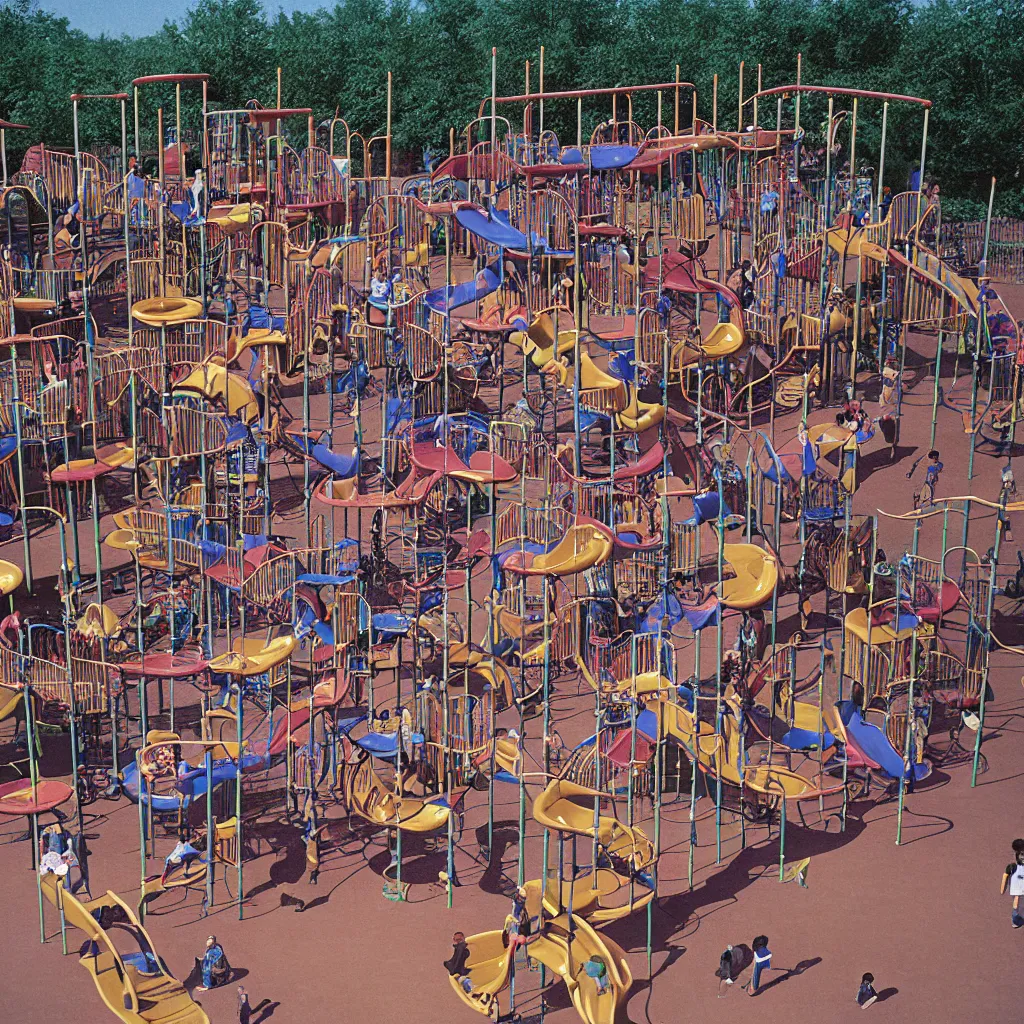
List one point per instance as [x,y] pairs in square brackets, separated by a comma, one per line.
[963,55]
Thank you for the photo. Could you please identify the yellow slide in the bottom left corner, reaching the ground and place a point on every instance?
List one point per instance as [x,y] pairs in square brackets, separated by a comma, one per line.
[136,996]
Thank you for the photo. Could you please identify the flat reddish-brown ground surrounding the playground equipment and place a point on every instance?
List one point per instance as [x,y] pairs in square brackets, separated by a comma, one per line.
[925,917]
